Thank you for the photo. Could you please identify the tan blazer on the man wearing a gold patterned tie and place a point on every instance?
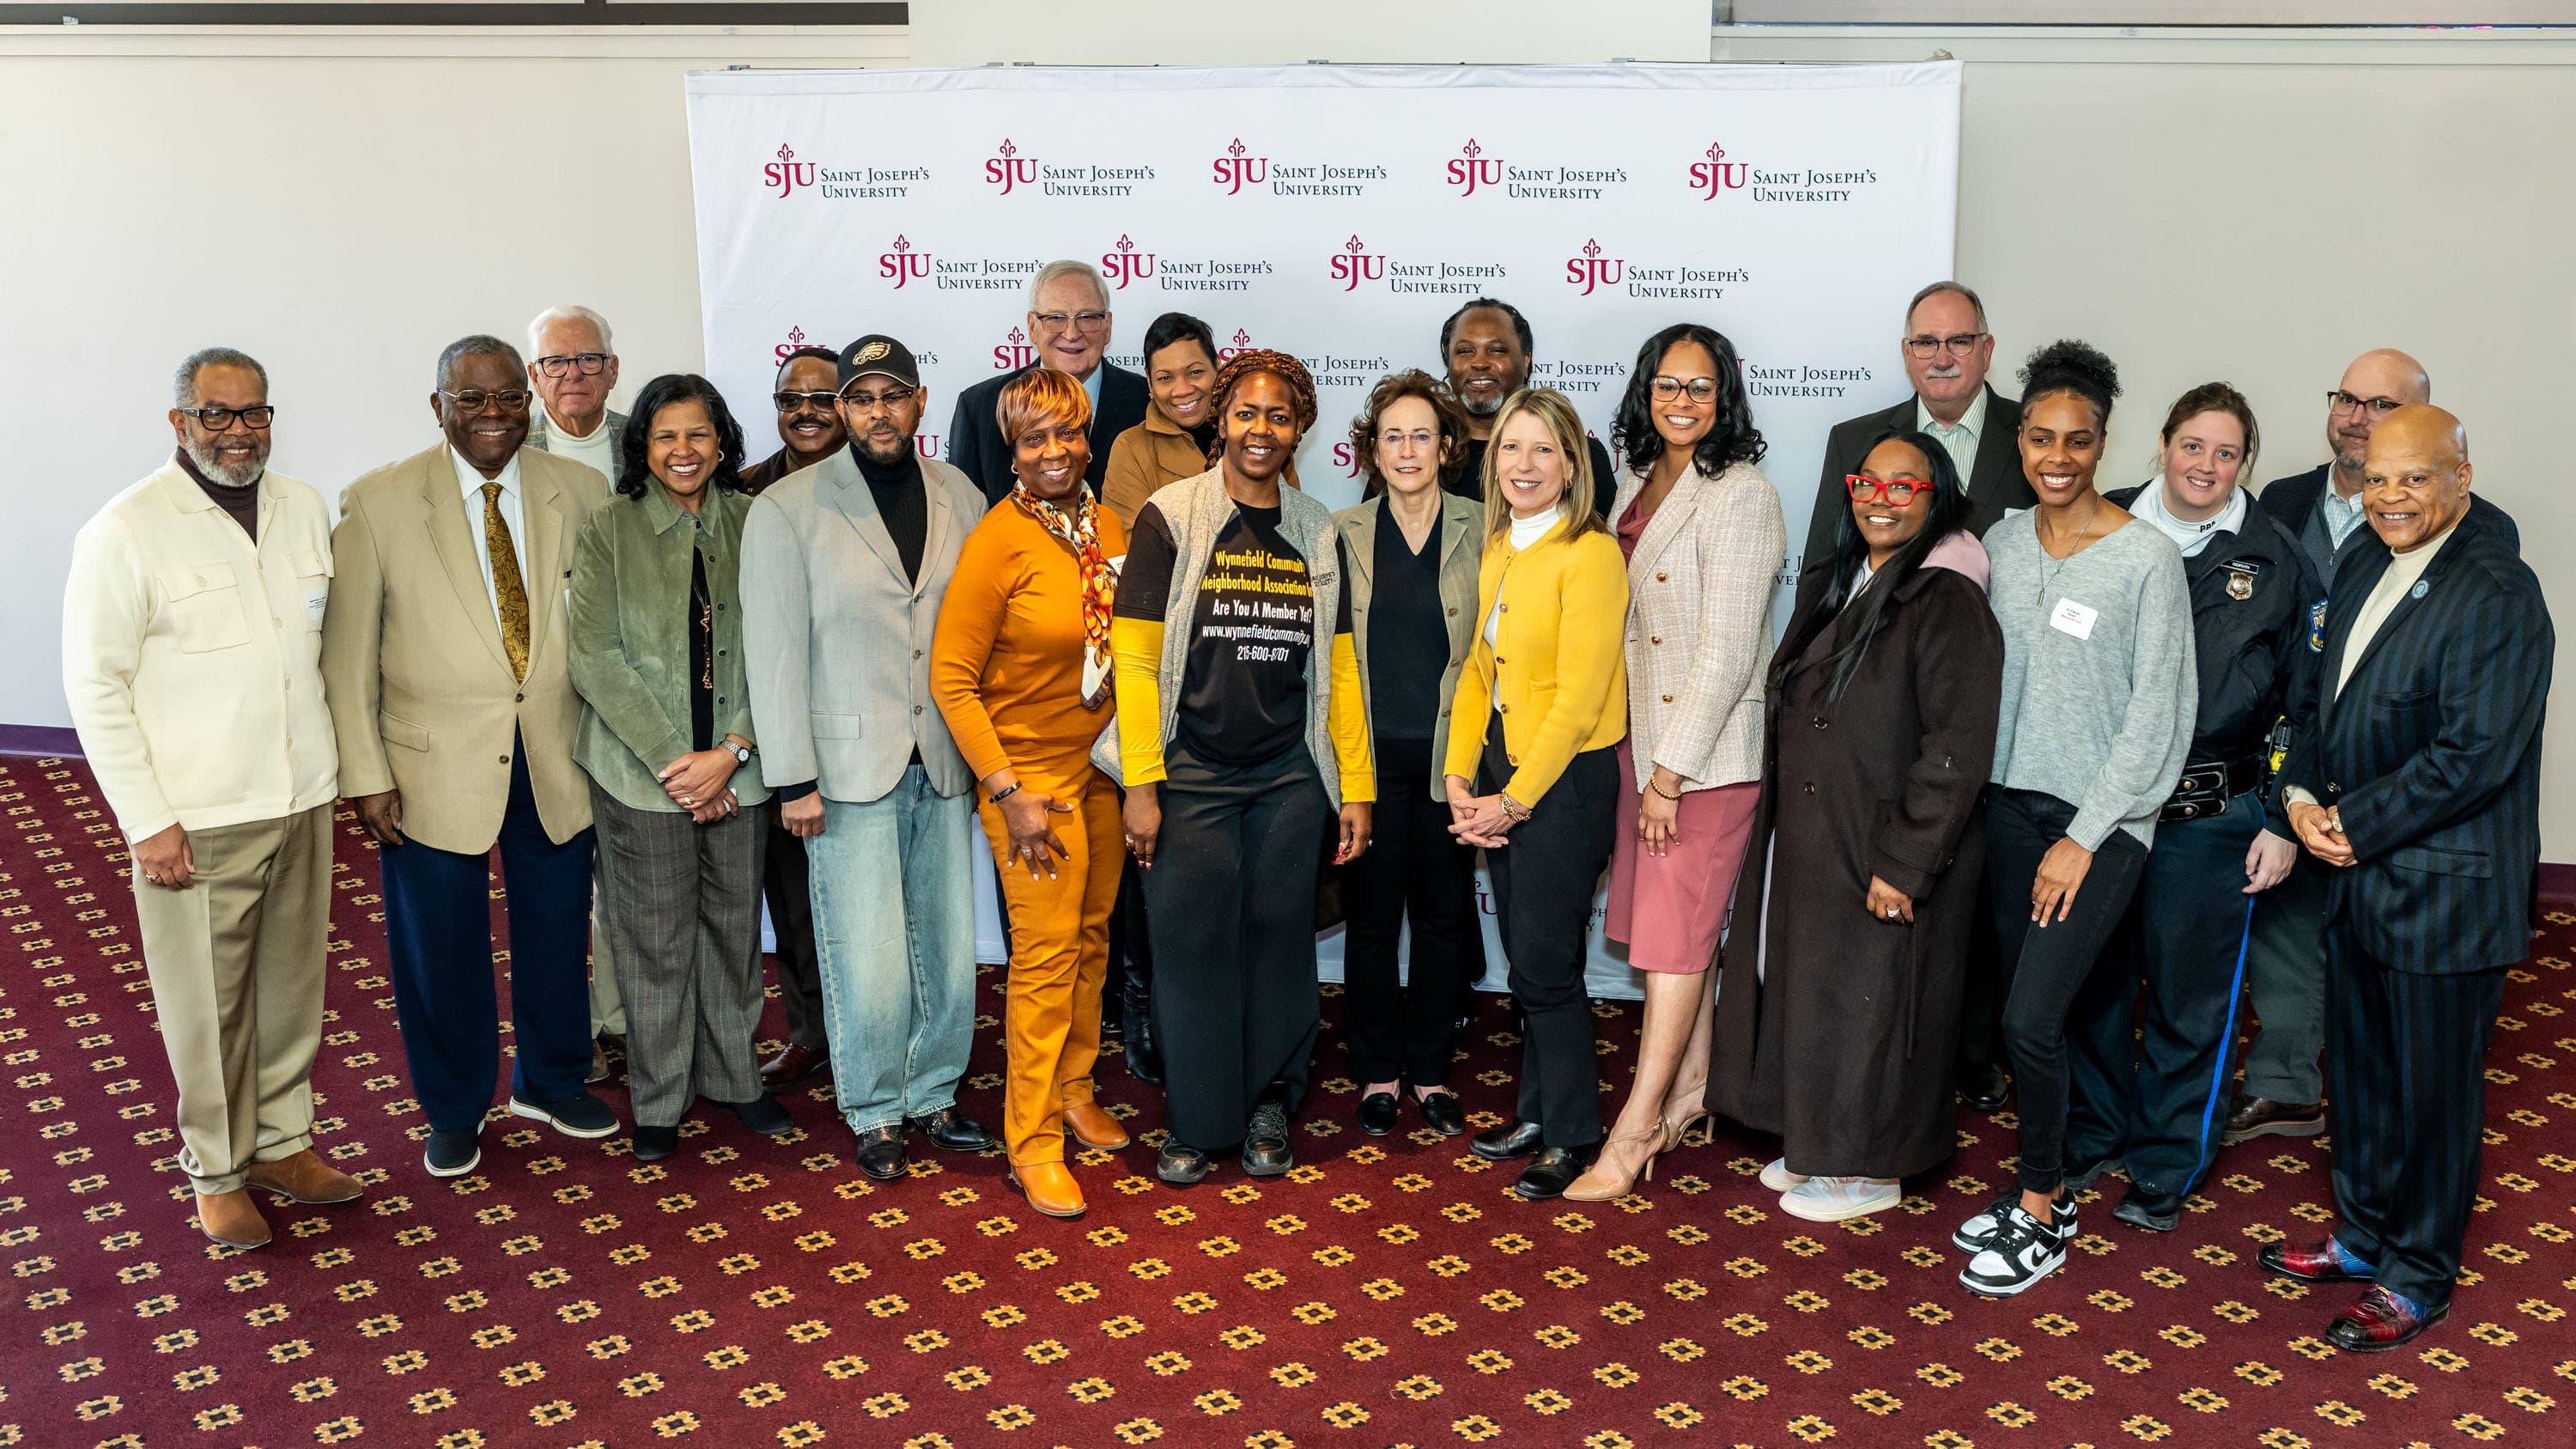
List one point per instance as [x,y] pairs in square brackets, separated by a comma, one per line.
[421,690]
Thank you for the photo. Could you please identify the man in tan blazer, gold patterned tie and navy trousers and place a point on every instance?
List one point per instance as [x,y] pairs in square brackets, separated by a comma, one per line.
[444,654]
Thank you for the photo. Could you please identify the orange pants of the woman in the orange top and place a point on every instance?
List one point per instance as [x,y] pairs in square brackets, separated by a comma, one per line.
[1060,953]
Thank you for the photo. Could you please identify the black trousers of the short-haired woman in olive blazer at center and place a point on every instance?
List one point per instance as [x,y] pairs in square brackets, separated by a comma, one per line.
[1413,870]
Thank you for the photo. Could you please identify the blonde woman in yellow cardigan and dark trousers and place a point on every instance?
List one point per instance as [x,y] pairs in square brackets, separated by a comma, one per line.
[1537,726]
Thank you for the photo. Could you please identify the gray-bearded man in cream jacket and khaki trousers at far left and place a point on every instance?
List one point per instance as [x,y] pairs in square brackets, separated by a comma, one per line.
[189,636]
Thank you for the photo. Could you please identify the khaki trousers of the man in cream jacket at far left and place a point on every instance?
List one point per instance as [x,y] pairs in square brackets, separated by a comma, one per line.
[236,968]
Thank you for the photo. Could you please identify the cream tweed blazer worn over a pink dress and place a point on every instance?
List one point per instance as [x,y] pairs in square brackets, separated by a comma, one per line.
[1699,625]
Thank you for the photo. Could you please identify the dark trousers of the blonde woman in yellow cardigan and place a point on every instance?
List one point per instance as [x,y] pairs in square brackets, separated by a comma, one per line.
[1544,886]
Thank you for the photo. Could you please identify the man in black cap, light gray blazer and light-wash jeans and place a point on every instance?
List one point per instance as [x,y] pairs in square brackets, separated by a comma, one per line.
[844,571]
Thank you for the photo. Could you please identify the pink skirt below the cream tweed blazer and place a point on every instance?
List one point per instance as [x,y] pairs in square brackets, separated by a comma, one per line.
[1673,909]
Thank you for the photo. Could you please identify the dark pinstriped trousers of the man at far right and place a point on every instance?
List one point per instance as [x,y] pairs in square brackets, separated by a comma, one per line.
[2407,1087]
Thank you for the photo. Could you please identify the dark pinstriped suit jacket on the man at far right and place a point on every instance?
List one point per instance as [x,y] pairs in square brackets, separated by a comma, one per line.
[2433,754]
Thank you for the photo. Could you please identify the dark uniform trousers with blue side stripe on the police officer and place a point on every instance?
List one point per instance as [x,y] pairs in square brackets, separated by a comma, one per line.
[2155,1025]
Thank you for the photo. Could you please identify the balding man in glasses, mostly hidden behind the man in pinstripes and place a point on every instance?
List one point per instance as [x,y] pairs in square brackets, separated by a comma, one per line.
[2286,953]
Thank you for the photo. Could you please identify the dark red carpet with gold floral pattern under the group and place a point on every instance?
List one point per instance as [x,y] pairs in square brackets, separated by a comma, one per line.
[1387,1293]
